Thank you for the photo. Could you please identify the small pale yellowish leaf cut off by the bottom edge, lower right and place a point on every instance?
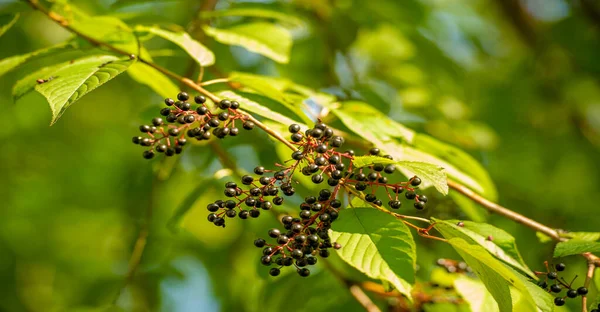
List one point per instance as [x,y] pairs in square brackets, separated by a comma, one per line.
[475,294]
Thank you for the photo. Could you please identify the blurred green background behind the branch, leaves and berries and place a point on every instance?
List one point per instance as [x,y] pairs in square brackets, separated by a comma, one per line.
[515,83]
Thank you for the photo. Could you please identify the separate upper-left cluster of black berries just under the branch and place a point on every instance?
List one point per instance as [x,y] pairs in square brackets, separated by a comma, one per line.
[180,117]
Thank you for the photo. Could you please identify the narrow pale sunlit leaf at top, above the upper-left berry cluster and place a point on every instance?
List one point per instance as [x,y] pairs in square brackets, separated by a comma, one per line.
[201,54]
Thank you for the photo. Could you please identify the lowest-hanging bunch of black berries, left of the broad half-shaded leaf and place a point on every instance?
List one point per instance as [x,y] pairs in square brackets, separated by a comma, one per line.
[306,236]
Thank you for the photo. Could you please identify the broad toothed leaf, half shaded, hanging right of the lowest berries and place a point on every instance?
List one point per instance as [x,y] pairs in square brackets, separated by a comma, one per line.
[378,245]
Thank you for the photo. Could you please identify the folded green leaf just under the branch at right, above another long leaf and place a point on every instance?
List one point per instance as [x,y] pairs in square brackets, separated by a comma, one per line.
[502,245]
